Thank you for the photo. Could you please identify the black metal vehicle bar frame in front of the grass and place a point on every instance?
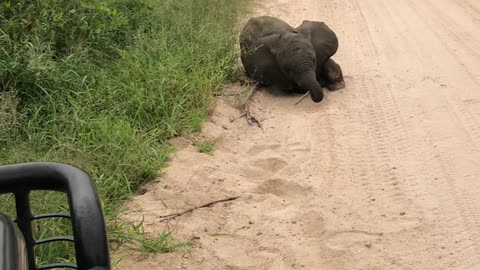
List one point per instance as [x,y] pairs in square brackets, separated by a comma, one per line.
[89,234]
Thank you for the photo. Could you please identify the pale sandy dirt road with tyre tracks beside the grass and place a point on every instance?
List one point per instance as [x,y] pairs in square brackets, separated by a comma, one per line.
[384,174]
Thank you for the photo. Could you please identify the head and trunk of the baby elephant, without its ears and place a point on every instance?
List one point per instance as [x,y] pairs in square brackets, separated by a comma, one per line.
[296,58]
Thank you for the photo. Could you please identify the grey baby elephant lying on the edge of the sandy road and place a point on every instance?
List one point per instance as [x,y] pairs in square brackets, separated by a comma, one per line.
[298,60]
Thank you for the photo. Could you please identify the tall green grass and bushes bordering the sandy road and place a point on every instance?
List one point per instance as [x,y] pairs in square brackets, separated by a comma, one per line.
[102,84]
